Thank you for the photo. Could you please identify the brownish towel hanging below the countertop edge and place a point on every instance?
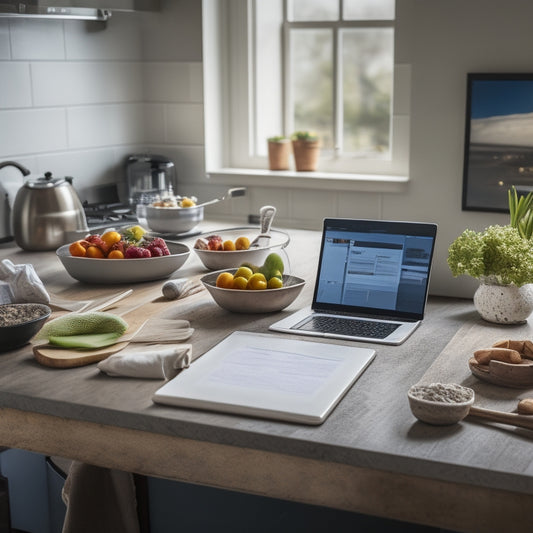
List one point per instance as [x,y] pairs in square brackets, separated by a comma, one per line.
[99,500]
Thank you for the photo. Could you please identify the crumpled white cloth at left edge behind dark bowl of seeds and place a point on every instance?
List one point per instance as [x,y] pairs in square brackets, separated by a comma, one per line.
[25,284]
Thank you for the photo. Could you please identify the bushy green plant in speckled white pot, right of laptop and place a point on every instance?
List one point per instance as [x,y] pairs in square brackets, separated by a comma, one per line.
[501,258]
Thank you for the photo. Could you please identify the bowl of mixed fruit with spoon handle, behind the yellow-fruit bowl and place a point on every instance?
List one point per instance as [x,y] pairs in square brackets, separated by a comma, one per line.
[232,247]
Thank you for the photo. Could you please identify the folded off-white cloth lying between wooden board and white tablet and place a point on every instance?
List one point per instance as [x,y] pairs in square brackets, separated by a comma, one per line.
[152,361]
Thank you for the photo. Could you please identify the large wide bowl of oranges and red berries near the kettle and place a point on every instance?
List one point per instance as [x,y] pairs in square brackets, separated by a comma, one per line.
[128,256]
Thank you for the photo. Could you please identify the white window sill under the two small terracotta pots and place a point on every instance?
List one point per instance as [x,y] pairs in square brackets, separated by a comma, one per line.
[310,180]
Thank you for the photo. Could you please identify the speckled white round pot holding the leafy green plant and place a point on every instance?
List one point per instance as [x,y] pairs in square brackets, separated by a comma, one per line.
[504,304]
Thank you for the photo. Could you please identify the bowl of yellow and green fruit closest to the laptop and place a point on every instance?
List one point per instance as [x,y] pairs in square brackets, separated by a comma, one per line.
[252,289]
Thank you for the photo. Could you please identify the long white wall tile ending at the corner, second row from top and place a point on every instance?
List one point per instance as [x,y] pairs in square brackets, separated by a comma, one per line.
[76,83]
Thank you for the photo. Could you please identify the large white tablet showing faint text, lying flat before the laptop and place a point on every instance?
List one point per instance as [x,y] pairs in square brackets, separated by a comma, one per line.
[266,376]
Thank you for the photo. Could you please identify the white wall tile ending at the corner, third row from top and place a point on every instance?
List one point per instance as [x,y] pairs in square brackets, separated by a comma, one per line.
[106,125]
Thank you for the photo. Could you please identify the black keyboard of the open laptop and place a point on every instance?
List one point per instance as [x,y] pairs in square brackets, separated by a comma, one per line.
[349,327]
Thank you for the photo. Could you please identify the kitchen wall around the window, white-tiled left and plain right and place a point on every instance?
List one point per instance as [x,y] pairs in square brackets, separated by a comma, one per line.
[76,101]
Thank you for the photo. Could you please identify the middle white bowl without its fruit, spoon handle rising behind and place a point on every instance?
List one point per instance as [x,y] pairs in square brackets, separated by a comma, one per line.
[219,260]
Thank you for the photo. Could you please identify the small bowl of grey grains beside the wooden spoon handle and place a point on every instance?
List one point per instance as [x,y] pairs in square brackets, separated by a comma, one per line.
[439,412]
